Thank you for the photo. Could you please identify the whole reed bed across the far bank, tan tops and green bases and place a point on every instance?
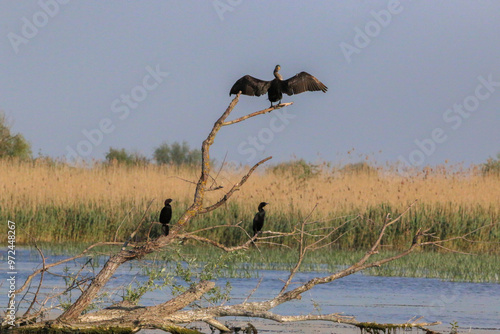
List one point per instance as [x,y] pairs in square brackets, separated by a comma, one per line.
[54,202]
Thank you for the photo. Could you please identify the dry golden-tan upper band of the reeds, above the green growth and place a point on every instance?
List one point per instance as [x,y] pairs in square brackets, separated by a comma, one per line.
[30,186]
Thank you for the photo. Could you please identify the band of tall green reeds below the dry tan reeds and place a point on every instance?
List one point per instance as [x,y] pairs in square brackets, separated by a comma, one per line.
[92,223]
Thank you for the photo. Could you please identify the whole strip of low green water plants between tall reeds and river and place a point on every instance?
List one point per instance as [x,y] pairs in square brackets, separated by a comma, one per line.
[428,264]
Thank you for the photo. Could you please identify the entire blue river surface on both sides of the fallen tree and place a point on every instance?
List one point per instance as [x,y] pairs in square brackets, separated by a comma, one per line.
[475,307]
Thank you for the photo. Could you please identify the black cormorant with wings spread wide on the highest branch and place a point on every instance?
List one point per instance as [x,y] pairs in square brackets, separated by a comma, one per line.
[297,84]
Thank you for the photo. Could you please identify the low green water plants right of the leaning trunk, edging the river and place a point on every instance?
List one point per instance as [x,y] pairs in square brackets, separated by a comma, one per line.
[446,266]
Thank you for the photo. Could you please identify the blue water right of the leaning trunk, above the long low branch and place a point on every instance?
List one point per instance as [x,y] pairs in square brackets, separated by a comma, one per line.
[387,299]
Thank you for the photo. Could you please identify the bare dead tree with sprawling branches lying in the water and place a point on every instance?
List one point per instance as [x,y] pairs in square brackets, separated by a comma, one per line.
[171,315]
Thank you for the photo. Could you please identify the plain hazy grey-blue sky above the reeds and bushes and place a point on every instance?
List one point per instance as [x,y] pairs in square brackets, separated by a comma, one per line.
[412,82]
